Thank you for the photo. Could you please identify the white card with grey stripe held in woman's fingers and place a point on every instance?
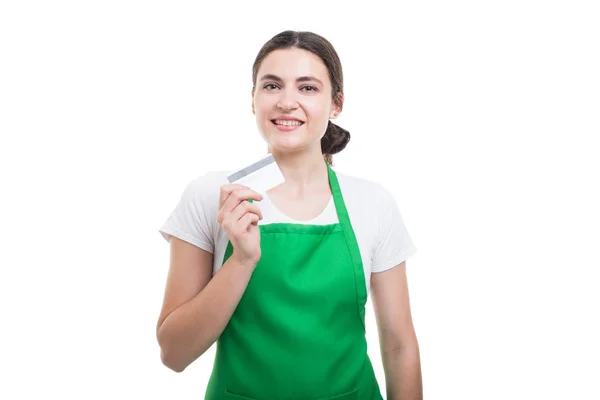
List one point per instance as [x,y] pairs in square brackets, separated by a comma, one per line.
[259,176]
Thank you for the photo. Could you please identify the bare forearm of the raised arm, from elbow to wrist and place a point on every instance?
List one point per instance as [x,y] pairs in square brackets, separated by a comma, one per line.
[192,328]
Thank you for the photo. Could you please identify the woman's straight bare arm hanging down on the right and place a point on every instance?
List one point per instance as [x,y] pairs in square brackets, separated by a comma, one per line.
[398,341]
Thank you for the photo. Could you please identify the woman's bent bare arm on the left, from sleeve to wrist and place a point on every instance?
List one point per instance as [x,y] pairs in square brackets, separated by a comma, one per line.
[196,308]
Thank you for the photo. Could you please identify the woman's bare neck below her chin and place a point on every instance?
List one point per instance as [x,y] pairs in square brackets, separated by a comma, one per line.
[304,172]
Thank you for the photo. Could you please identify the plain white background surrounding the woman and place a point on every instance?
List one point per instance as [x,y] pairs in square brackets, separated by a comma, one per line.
[481,117]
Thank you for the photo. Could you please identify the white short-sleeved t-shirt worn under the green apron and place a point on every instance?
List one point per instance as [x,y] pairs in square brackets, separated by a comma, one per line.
[380,231]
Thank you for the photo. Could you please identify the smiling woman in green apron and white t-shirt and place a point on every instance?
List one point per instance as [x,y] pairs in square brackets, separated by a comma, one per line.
[280,282]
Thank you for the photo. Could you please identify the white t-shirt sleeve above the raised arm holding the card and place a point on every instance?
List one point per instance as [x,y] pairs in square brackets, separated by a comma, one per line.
[193,219]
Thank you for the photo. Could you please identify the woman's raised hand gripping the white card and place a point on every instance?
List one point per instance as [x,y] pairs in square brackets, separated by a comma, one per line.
[239,218]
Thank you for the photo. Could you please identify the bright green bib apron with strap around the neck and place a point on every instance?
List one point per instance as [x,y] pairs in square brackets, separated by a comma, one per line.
[298,332]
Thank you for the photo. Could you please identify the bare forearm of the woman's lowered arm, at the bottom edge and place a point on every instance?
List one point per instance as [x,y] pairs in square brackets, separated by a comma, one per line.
[402,368]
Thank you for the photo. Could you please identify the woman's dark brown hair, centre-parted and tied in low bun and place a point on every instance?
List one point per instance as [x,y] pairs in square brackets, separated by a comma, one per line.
[335,138]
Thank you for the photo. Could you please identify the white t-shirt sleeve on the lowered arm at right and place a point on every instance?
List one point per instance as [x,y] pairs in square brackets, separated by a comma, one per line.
[393,244]
